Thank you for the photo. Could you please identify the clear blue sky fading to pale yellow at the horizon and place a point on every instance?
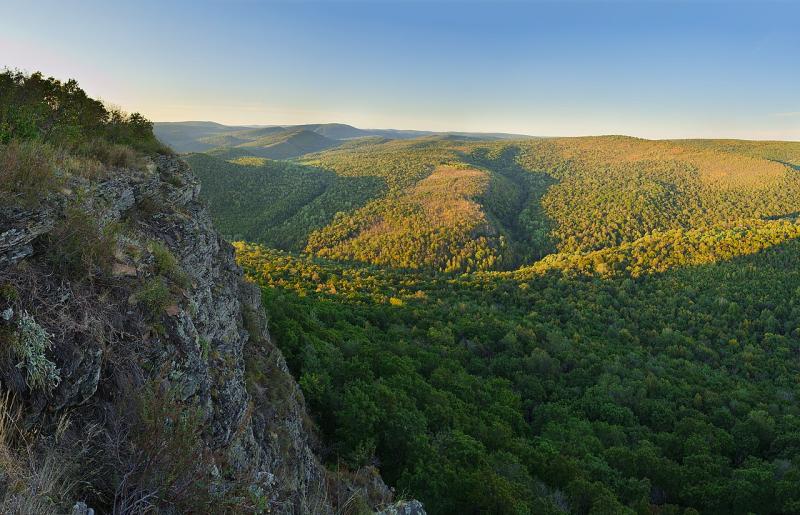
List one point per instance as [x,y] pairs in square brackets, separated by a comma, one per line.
[653,69]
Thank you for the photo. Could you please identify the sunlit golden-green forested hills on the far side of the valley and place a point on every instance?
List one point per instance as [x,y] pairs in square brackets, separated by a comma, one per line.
[456,205]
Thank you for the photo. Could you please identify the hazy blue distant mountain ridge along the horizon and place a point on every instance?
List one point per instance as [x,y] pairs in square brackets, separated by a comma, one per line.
[284,142]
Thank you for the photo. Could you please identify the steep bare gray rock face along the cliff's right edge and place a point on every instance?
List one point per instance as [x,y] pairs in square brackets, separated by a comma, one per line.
[207,344]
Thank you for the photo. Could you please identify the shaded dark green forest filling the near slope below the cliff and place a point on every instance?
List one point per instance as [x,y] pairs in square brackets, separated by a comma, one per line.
[547,394]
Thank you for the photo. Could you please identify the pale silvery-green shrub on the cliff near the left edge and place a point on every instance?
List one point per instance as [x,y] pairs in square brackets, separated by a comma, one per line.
[30,343]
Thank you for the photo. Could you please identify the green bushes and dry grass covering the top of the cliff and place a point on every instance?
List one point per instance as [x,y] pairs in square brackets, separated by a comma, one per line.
[51,130]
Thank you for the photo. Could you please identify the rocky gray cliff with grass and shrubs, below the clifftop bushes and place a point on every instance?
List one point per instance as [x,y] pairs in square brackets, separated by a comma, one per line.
[137,364]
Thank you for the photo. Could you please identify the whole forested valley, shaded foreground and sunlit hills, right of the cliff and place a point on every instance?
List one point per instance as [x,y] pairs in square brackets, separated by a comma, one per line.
[539,325]
